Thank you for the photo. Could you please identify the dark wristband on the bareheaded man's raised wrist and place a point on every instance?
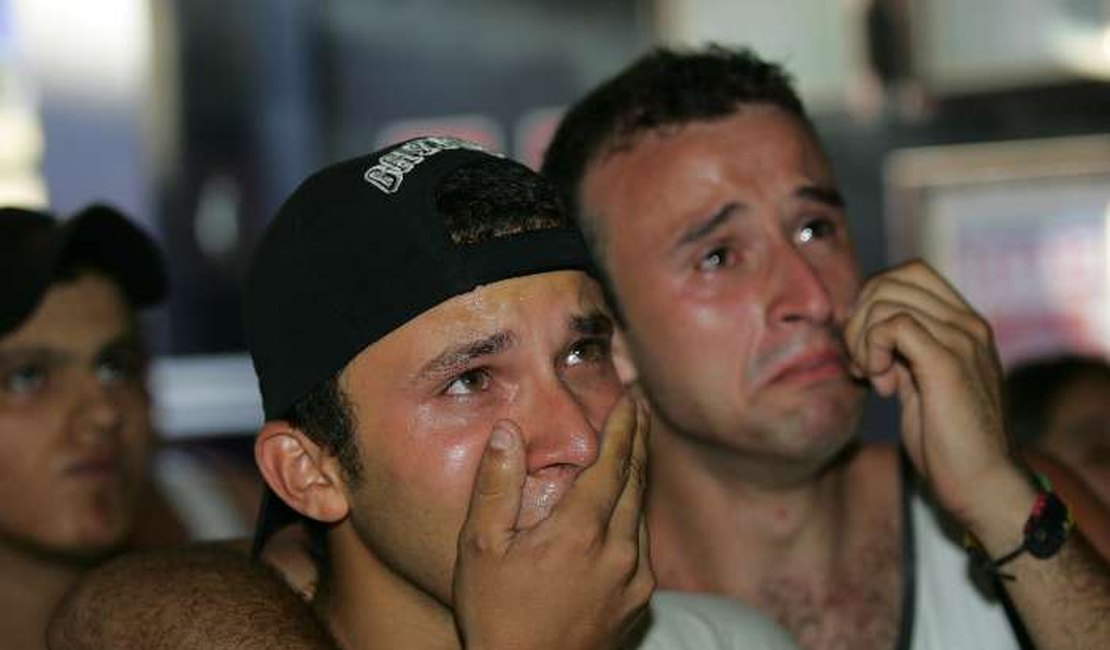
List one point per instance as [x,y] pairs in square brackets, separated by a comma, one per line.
[1047,529]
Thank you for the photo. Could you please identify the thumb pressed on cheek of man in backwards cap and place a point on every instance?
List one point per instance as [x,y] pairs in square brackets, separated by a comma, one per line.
[496,500]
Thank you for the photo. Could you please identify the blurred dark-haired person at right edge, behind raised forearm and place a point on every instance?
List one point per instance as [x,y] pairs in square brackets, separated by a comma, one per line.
[1062,407]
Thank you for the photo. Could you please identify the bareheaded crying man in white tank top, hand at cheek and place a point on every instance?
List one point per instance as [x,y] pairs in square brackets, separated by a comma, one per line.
[719,228]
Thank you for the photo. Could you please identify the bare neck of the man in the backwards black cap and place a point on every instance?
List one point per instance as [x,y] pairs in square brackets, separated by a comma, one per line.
[367,605]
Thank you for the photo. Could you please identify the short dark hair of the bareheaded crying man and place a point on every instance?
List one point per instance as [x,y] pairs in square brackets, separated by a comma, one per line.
[664,88]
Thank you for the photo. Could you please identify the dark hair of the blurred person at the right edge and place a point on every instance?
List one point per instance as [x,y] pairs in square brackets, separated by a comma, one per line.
[1034,387]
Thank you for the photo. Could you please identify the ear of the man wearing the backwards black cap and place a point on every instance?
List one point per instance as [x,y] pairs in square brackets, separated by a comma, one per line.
[301,473]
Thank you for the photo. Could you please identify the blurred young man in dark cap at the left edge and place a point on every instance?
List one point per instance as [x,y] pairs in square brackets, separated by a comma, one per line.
[75,426]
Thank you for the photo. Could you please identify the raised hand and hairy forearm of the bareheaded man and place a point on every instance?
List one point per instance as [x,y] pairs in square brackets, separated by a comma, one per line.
[915,338]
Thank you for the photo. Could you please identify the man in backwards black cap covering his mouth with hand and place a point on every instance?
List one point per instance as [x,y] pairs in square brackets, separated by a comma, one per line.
[443,412]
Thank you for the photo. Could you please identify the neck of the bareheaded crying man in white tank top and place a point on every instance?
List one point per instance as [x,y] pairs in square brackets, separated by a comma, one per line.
[717,525]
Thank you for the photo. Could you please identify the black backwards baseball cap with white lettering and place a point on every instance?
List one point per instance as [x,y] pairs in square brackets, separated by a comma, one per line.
[358,251]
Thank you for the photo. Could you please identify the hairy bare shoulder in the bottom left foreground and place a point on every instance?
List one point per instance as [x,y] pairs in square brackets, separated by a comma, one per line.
[201,597]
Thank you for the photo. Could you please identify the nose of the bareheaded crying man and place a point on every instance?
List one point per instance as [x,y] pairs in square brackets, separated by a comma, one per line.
[800,294]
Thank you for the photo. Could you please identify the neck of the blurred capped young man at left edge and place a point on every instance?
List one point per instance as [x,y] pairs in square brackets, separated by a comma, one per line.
[32,587]
